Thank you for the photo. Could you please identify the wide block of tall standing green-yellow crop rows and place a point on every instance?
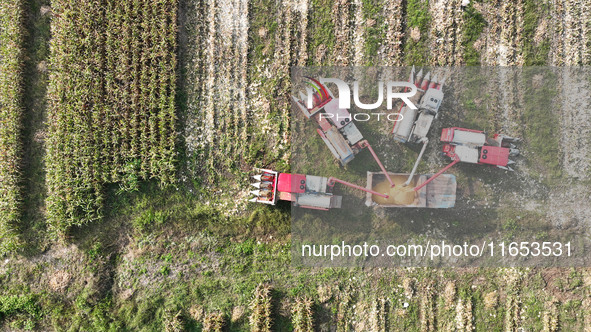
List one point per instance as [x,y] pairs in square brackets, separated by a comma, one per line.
[111,94]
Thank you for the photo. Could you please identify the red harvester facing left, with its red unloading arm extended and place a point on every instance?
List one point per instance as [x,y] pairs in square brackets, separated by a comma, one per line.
[306,191]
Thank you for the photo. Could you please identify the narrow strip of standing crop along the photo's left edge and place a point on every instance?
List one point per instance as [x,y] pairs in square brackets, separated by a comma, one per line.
[11,38]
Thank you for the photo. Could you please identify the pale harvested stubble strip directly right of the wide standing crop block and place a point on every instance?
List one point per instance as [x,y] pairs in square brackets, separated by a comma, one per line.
[217,110]
